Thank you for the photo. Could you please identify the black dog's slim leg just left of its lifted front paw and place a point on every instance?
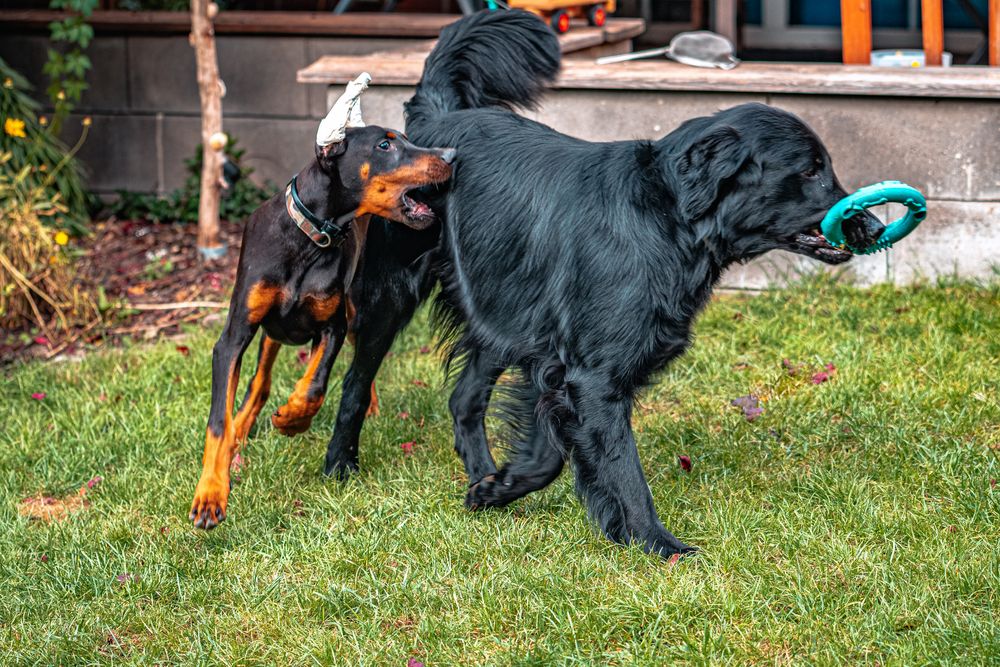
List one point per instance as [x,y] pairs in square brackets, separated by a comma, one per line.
[468,403]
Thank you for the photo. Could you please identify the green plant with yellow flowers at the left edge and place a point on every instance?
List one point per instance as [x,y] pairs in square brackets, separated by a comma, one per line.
[33,145]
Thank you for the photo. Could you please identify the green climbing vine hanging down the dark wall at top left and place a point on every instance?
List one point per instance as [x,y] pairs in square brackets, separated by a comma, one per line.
[67,69]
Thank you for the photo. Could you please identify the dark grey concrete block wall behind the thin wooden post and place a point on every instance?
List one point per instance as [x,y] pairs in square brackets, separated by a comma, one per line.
[143,99]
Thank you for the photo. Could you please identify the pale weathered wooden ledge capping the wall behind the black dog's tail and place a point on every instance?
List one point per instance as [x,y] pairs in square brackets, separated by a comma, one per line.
[819,78]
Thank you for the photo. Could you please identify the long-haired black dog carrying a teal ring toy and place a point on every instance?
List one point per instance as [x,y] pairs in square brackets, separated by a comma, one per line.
[584,264]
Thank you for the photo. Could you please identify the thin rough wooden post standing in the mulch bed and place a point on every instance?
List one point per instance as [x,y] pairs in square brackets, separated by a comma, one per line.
[210,91]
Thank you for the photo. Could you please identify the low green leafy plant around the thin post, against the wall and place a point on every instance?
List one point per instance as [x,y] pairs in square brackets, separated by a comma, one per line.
[238,202]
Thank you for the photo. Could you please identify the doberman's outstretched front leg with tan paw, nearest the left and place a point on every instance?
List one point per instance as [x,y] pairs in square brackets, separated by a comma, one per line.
[212,493]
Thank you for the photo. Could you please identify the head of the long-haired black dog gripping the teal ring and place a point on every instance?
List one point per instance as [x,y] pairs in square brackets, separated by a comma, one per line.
[761,180]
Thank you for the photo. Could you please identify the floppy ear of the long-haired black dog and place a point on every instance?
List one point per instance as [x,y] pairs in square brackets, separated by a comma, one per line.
[704,167]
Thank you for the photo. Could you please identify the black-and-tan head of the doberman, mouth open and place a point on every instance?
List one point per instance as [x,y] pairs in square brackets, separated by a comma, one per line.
[387,173]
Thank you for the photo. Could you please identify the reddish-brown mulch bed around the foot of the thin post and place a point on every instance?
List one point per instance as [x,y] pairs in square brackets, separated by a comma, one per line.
[153,276]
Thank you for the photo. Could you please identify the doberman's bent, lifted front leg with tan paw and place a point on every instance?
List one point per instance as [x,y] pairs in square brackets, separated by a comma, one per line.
[296,415]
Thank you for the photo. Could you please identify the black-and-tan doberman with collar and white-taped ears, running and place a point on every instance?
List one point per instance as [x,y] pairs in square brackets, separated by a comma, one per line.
[294,284]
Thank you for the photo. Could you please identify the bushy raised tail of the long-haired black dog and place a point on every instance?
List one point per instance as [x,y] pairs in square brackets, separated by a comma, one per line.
[490,59]
